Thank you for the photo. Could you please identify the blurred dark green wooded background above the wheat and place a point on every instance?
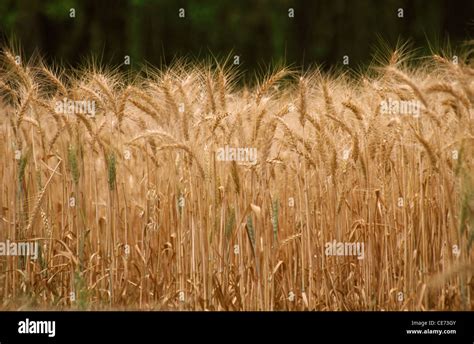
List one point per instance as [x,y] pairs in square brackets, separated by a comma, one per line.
[259,31]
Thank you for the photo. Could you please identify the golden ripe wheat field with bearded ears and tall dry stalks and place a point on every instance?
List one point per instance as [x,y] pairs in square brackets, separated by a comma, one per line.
[131,209]
